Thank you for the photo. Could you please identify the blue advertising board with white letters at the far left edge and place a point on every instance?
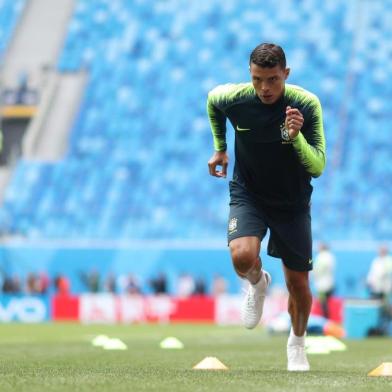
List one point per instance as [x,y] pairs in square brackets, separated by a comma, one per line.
[24,309]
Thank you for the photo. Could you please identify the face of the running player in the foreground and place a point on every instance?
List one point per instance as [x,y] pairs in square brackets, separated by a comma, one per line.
[268,82]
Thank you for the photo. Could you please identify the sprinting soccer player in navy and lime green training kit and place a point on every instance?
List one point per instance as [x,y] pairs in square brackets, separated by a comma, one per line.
[279,147]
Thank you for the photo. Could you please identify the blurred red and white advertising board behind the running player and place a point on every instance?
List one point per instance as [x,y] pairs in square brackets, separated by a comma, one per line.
[129,309]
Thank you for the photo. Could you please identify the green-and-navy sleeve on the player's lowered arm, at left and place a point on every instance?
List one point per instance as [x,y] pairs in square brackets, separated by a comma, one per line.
[217,120]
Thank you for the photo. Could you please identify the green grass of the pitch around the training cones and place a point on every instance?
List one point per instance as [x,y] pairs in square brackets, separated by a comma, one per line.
[60,357]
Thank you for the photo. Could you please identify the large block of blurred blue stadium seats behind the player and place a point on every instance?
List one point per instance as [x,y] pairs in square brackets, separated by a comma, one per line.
[137,161]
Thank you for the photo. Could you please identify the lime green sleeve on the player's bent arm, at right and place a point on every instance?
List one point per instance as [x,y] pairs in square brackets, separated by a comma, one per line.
[310,144]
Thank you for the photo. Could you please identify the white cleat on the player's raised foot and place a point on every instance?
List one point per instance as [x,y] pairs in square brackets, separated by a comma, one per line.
[252,307]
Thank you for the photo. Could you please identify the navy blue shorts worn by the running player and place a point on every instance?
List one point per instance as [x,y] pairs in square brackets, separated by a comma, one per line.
[290,237]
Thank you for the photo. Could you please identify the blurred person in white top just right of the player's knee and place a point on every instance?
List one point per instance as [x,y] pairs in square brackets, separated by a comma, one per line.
[324,276]
